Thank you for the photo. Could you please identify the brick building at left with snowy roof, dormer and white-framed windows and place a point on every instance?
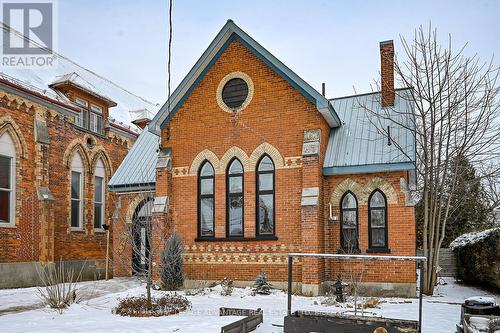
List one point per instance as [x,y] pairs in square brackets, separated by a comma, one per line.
[63,133]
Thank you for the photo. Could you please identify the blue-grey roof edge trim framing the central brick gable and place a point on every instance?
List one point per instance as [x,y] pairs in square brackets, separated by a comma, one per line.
[226,35]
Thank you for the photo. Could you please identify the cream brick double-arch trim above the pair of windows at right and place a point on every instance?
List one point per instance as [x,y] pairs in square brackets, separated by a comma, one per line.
[363,192]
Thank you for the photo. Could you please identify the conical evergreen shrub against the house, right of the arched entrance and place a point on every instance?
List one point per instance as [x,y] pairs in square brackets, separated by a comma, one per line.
[171,269]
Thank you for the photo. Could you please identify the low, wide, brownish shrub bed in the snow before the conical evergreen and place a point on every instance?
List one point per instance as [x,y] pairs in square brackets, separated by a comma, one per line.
[137,306]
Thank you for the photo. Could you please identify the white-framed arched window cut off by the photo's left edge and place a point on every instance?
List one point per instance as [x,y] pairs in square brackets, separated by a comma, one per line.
[7,149]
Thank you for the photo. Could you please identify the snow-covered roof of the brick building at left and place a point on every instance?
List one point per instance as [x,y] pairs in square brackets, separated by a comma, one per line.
[40,80]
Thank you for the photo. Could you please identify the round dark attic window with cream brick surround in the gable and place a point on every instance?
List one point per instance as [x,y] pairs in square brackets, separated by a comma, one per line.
[235,92]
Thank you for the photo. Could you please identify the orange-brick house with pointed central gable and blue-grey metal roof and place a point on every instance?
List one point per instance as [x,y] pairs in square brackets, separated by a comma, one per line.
[247,162]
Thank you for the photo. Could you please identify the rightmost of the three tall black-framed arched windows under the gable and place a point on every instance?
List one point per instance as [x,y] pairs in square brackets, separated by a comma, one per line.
[265,196]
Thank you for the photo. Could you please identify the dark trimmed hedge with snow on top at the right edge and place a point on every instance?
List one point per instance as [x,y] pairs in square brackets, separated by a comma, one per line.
[477,257]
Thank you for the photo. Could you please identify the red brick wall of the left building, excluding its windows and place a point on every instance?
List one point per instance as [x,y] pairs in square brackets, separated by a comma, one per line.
[42,230]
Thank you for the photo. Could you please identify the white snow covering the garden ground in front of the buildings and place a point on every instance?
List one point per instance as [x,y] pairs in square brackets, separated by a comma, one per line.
[441,312]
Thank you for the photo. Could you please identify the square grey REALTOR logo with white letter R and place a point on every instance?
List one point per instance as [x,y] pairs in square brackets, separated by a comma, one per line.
[28,33]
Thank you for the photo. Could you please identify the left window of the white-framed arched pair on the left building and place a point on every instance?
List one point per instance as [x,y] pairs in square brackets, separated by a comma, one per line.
[77,181]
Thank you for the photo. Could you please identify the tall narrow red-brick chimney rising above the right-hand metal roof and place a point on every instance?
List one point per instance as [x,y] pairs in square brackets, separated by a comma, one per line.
[387,73]
